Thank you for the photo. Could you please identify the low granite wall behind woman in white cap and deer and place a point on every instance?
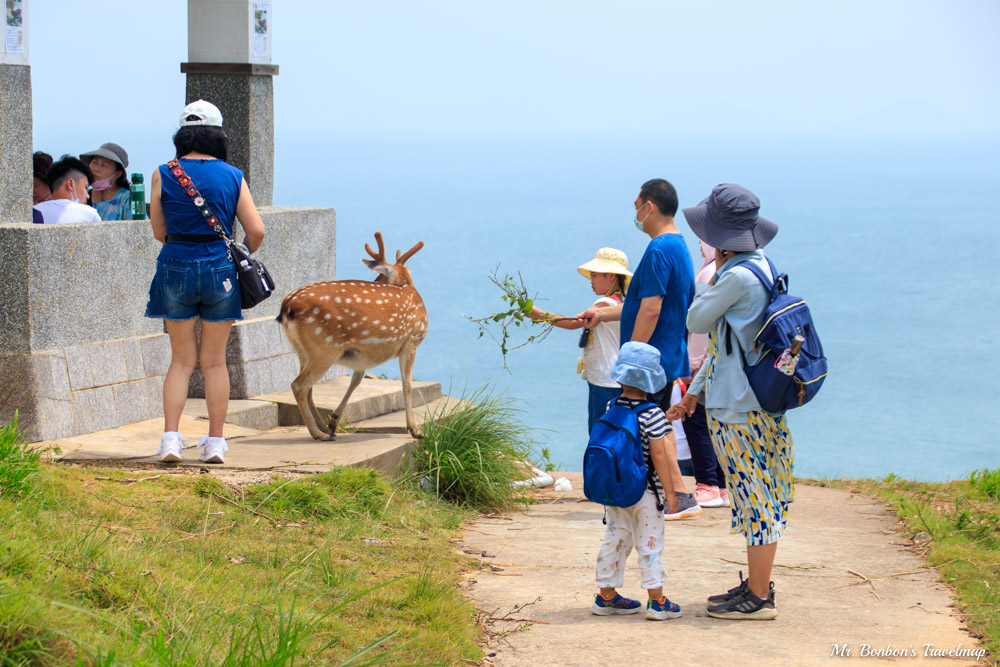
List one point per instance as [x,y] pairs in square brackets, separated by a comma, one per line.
[76,353]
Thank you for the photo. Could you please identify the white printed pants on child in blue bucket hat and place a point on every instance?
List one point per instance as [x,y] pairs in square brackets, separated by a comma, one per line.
[639,526]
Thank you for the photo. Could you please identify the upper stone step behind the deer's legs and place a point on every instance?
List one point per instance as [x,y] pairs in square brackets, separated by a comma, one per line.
[371,399]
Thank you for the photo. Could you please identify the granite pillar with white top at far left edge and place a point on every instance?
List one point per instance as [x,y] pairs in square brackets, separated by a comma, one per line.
[15,116]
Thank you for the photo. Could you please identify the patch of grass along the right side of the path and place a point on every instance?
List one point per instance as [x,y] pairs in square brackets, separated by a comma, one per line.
[961,520]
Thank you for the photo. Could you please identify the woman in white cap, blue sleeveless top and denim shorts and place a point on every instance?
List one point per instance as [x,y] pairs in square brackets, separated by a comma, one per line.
[195,278]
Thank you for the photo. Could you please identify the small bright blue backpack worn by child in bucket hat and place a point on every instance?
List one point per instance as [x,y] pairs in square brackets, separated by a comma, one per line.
[614,467]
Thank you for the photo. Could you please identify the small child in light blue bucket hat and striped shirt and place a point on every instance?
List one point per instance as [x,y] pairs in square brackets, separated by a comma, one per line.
[638,370]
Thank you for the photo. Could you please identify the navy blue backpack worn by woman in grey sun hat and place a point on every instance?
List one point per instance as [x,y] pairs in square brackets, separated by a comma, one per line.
[784,318]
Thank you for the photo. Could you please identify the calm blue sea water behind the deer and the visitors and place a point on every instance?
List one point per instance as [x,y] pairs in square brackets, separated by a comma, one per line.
[891,241]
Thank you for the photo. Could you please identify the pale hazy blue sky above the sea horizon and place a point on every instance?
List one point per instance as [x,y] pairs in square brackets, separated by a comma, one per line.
[539,66]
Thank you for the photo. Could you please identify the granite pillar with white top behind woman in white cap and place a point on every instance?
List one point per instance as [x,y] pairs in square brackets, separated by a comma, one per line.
[229,53]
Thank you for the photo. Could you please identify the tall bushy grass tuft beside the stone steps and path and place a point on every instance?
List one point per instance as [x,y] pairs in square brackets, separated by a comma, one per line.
[472,451]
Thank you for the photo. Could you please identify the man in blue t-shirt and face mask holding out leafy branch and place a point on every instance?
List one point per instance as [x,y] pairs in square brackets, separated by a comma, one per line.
[658,298]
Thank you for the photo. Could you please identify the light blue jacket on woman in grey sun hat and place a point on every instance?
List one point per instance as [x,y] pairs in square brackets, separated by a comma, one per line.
[733,306]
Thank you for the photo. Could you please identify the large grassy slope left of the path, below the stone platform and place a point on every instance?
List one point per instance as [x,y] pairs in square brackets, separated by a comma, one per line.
[339,568]
